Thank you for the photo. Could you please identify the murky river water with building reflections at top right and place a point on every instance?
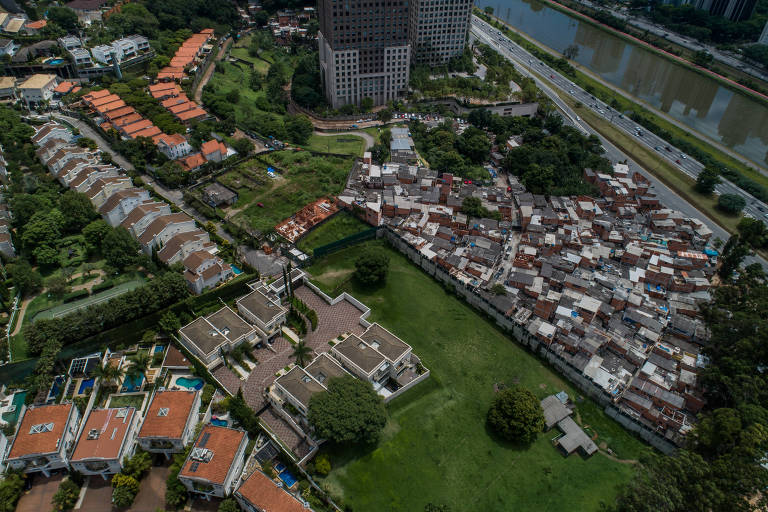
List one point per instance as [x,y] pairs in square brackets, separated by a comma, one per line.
[733,119]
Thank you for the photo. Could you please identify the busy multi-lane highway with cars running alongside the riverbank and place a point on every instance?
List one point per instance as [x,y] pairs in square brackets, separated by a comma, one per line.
[531,66]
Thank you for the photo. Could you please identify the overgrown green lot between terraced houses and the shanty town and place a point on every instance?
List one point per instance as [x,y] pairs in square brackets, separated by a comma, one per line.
[303,179]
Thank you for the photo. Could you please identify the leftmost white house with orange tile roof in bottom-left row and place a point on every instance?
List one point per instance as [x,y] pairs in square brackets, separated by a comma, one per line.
[44,438]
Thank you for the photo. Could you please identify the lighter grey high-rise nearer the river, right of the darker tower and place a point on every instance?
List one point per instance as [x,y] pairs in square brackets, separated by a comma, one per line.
[438,29]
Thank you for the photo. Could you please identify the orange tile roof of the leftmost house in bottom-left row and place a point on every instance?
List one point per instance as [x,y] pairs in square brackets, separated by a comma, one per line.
[42,442]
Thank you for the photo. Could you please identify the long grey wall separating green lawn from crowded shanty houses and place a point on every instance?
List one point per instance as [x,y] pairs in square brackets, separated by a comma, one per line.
[530,341]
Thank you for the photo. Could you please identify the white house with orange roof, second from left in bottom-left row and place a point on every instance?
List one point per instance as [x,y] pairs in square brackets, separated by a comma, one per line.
[105,441]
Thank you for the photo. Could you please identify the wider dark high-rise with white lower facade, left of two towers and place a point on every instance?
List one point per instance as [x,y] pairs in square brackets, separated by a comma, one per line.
[364,50]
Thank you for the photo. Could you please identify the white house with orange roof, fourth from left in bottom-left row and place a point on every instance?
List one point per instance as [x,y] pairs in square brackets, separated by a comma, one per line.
[213,467]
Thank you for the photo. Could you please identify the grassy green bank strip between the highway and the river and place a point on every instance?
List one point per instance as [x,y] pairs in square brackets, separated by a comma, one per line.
[697,145]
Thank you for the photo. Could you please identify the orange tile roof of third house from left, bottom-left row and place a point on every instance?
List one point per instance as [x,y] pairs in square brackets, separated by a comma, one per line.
[171,424]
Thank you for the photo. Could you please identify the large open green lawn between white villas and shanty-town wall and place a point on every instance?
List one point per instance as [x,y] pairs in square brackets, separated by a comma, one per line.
[435,447]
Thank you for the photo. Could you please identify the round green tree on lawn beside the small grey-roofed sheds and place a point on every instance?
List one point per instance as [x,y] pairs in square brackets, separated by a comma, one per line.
[516,415]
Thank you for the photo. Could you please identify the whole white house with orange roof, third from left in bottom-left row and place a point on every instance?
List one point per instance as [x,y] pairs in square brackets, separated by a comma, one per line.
[170,421]
